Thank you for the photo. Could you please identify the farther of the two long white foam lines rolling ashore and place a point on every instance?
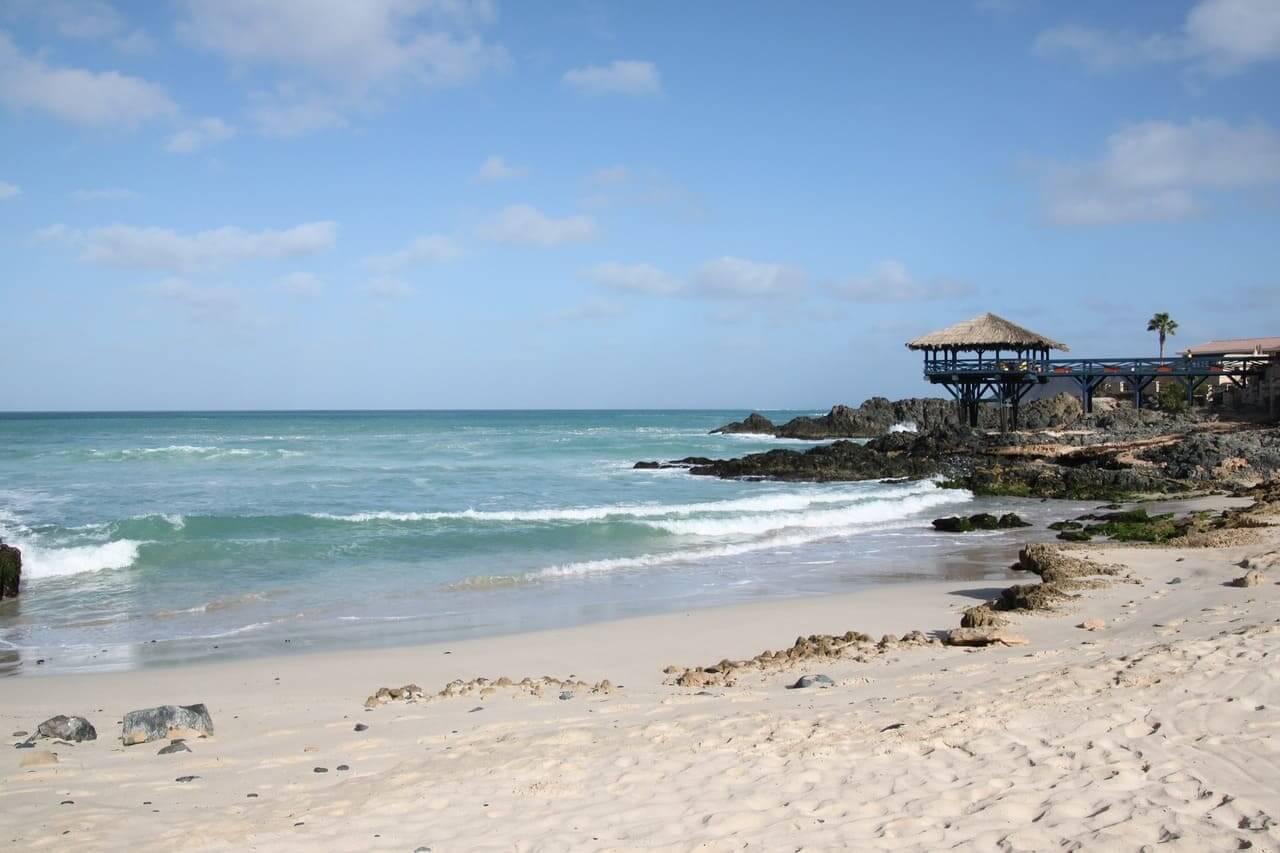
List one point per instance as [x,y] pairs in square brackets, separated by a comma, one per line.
[772,503]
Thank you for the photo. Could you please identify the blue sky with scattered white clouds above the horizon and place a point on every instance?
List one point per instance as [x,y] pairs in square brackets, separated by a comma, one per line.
[474,204]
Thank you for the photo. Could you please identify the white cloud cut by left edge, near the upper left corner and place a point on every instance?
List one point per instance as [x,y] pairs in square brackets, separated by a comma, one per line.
[77,95]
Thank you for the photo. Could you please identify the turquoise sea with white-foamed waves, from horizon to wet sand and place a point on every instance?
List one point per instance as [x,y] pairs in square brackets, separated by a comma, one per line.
[159,537]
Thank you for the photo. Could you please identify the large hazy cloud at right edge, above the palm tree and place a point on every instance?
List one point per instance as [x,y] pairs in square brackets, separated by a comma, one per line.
[1158,171]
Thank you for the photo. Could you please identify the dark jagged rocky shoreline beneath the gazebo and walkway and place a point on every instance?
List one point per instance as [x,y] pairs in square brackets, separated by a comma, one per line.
[1114,455]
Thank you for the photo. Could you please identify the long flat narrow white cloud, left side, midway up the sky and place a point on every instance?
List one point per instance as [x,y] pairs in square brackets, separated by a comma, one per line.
[136,248]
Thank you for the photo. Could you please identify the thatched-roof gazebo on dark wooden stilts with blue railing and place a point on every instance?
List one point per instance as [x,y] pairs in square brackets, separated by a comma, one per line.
[1004,378]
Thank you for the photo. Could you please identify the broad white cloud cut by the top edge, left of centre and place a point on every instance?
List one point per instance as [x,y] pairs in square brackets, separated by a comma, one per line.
[351,45]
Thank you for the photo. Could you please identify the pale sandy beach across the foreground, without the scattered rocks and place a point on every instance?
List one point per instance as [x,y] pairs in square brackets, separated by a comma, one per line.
[1159,731]
